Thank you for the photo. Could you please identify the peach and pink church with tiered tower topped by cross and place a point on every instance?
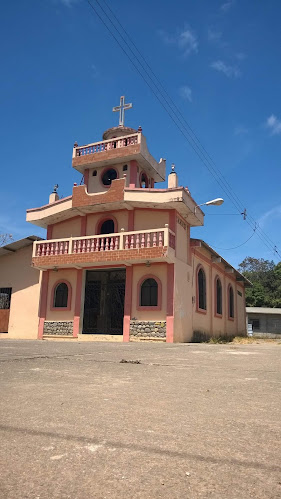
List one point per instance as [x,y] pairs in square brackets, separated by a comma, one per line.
[118,261]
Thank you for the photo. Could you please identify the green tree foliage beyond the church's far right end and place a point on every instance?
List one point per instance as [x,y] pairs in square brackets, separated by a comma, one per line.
[266,279]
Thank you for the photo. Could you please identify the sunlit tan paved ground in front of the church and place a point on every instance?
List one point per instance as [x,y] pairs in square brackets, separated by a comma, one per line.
[189,421]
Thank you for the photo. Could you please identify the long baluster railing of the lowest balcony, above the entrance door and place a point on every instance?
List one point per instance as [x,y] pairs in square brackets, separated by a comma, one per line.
[163,237]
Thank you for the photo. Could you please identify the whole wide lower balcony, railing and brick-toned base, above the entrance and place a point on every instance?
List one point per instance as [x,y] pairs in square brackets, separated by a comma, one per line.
[156,245]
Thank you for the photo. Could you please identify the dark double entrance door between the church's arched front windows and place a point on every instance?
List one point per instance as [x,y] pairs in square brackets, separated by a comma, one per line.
[104,301]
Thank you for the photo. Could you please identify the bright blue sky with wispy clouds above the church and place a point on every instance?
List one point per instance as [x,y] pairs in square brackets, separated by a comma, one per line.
[219,60]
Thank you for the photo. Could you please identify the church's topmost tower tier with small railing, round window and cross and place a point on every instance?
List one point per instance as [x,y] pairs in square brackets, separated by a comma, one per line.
[122,153]
